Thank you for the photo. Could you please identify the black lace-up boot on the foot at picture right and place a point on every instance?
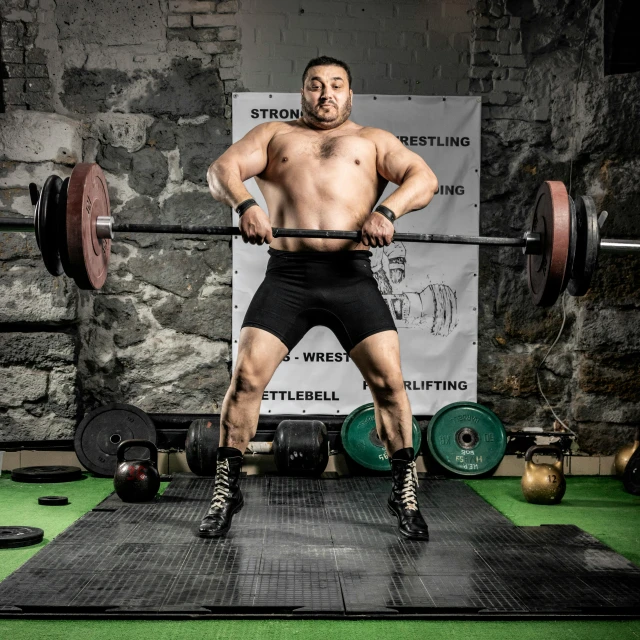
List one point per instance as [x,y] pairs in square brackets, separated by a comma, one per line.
[403,501]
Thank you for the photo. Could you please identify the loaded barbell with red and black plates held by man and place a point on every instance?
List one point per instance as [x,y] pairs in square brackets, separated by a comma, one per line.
[74,229]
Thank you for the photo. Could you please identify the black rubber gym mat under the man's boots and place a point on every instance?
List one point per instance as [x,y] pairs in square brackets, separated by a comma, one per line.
[319,548]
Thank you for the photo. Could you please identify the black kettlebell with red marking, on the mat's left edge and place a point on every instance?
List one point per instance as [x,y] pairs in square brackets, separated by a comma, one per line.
[136,480]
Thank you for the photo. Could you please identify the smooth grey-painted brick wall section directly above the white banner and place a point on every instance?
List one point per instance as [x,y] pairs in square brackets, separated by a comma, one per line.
[392,47]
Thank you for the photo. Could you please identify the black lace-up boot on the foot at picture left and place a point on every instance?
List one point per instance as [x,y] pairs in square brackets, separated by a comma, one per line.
[227,497]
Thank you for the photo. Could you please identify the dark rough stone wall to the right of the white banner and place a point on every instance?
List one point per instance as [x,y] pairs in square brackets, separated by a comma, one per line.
[542,122]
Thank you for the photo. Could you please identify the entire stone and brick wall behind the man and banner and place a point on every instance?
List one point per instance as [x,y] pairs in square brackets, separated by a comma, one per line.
[148,97]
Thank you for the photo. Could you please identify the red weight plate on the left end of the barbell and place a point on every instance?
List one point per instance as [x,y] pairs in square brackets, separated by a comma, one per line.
[87,199]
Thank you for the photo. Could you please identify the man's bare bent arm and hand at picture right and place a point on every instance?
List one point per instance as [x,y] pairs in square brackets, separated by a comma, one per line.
[417,185]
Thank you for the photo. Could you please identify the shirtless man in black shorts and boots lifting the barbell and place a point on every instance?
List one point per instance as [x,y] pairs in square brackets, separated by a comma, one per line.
[322,171]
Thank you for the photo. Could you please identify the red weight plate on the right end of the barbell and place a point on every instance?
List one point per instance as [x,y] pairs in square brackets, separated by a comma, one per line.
[552,220]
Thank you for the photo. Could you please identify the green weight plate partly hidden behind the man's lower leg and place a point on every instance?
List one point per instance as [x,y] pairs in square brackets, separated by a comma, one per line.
[361,442]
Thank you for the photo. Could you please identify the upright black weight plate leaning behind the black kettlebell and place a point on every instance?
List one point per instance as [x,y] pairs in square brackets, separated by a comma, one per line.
[101,431]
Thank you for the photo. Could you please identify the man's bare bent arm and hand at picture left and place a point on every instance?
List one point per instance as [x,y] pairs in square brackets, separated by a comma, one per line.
[245,159]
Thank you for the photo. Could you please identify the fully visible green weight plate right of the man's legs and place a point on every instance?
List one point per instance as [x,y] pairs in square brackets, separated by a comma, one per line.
[467,438]
